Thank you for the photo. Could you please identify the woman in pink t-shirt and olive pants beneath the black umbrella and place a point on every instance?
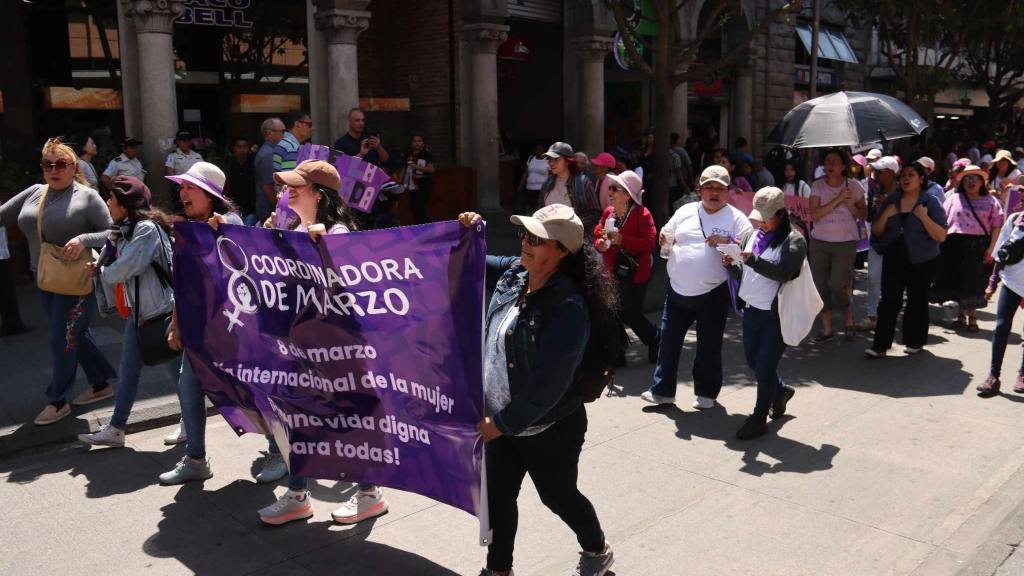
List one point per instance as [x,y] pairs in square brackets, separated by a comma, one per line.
[837,203]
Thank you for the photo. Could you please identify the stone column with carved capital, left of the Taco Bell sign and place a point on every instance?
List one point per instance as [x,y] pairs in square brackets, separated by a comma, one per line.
[155,25]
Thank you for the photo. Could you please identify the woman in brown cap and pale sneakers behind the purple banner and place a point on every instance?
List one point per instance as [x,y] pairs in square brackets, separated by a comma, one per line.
[313,194]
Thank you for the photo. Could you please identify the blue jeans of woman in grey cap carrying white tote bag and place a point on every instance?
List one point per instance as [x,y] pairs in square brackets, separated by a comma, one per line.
[763,347]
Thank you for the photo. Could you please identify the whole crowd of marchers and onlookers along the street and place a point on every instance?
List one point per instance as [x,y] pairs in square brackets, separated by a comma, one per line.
[588,253]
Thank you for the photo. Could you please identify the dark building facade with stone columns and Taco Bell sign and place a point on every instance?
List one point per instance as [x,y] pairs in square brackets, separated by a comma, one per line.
[483,80]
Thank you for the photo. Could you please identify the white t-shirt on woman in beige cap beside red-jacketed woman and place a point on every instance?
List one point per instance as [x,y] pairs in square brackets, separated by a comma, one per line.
[695,268]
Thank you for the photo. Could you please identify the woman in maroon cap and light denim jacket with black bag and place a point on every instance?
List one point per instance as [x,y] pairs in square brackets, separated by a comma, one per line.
[137,260]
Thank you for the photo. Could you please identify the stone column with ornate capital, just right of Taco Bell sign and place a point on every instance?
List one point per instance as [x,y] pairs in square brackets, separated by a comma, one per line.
[343,27]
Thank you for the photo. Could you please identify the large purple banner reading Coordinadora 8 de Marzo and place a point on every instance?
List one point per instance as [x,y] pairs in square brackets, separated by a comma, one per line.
[360,353]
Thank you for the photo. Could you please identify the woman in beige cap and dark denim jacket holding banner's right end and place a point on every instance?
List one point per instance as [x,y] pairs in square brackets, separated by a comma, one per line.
[538,326]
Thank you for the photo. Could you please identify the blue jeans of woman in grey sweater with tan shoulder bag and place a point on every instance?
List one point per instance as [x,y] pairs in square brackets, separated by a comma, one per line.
[71,344]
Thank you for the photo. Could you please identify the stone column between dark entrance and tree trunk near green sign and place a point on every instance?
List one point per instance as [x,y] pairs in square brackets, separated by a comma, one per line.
[592,51]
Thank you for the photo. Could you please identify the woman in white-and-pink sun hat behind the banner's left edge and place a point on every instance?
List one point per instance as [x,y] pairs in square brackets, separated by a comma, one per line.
[203,199]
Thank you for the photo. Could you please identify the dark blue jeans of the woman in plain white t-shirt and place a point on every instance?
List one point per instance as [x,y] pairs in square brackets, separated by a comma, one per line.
[710,312]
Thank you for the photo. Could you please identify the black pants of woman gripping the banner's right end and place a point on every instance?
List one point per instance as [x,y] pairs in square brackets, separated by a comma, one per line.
[552,460]
